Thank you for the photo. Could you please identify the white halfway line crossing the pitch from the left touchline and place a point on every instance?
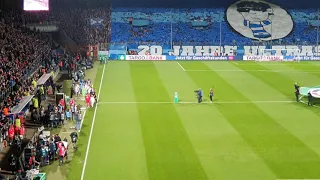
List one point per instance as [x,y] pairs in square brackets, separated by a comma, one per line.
[215,102]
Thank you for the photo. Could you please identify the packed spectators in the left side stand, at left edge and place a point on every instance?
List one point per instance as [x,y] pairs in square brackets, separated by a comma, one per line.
[25,54]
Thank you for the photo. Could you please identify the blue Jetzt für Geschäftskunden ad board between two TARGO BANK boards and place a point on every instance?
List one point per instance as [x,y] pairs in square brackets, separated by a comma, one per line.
[203,58]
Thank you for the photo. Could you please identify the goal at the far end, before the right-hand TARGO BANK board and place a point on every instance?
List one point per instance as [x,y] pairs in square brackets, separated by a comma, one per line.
[267,55]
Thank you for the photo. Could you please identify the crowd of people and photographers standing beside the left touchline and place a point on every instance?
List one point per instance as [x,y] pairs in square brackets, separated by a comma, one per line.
[47,149]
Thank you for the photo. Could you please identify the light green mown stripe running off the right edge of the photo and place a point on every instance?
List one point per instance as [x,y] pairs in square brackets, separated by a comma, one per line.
[302,121]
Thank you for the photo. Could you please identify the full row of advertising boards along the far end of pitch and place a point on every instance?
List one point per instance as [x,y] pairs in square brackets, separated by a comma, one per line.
[212,58]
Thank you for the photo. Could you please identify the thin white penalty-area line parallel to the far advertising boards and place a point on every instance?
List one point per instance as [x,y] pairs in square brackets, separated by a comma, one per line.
[262,70]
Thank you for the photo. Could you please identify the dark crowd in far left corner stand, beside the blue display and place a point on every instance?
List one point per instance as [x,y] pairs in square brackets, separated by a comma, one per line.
[76,23]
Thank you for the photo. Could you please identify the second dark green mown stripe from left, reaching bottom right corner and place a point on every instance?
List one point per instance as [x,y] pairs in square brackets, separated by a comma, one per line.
[285,155]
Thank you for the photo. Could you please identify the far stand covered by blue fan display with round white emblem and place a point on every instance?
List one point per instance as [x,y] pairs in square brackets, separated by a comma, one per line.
[148,26]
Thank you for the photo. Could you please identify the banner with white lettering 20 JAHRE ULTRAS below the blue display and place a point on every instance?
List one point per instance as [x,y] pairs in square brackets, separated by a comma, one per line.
[227,50]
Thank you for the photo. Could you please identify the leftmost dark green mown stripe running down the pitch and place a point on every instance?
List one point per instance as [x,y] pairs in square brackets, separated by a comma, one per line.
[169,153]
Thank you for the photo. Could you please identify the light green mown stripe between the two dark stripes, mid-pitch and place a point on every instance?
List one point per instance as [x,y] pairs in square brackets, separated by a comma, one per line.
[218,146]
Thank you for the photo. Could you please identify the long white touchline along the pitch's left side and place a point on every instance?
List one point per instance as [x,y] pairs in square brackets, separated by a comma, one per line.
[93,121]
